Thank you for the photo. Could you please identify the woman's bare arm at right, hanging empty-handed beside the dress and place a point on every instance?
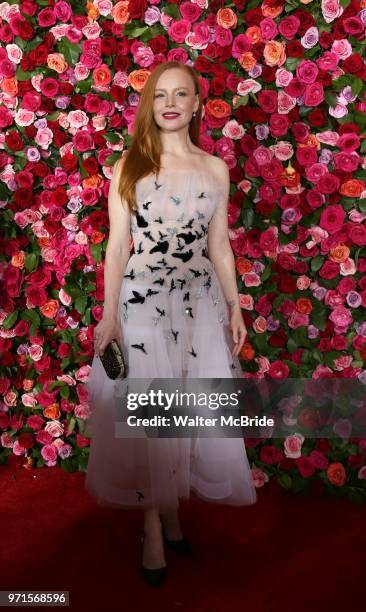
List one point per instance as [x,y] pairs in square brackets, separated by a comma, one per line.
[221,255]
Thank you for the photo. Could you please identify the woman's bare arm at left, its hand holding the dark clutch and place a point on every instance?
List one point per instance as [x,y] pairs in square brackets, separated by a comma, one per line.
[116,258]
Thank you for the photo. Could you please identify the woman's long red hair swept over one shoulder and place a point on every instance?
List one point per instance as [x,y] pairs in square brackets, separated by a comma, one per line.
[143,155]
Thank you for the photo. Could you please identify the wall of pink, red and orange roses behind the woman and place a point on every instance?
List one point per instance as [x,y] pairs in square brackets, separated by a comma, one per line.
[283,85]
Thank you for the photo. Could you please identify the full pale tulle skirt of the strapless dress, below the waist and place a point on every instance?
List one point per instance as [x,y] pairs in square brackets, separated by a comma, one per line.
[157,472]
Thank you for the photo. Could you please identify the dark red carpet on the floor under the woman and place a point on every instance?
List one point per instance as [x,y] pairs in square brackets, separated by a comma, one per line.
[286,553]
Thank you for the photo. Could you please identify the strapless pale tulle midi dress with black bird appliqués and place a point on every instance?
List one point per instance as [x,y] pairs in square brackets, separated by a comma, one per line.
[175,324]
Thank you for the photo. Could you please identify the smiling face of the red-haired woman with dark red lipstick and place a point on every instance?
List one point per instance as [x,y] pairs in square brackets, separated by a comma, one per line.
[174,93]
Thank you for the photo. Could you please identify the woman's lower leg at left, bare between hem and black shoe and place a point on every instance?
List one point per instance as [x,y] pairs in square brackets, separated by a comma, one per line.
[153,555]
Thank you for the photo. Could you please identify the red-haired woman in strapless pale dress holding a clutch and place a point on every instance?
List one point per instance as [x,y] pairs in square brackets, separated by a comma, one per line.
[176,313]
